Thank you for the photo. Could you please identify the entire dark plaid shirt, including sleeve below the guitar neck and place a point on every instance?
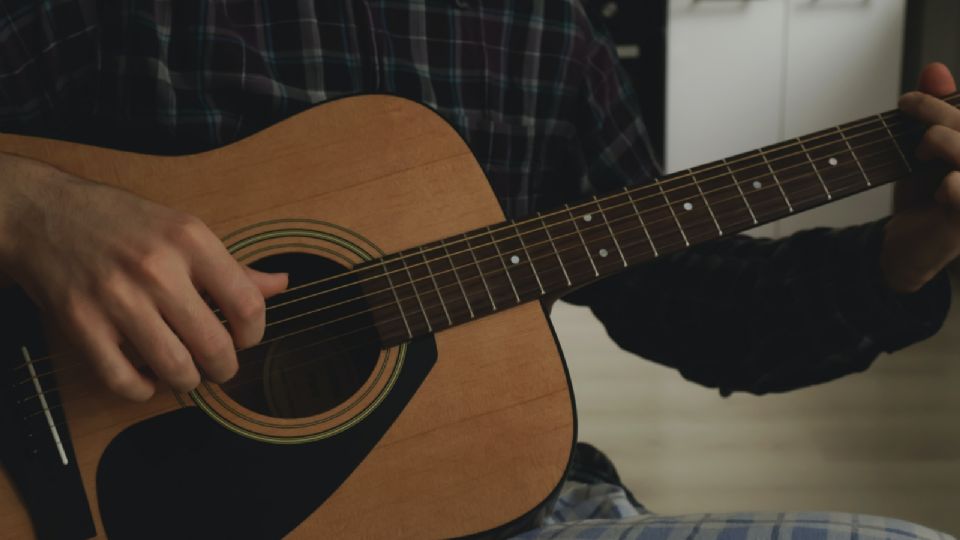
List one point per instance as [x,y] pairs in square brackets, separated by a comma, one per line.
[534,88]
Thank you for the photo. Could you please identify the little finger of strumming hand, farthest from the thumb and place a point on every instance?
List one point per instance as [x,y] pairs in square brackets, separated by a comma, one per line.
[98,342]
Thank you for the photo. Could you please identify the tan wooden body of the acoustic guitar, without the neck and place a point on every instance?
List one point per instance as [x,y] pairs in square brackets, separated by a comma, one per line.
[458,433]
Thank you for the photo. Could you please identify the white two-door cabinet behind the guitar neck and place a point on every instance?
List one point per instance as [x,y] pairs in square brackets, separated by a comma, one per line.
[747,73]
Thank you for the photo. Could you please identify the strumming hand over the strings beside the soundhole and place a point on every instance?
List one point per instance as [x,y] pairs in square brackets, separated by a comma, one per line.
[118,273]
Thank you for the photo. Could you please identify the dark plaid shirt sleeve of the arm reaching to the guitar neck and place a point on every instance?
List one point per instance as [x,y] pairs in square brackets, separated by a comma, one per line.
[740,314]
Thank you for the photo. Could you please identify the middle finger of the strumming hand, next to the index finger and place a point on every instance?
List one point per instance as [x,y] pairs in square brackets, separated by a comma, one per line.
[199,329]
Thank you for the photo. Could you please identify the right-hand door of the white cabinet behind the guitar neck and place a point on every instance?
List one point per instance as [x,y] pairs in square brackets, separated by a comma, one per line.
[843,60]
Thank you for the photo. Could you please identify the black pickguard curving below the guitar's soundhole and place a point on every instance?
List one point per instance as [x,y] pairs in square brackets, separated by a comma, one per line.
[181,475]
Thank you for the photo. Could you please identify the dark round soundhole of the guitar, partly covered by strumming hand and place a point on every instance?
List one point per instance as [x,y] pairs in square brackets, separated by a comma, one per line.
[320,346]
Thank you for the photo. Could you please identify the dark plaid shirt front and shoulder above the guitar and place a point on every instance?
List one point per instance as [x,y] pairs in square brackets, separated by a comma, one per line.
[527,83]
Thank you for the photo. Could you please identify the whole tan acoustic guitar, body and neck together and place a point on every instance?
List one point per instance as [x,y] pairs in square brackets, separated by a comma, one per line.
[408,384]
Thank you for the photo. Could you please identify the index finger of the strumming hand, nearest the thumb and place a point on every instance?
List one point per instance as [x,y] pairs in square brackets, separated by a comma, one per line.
[238,298]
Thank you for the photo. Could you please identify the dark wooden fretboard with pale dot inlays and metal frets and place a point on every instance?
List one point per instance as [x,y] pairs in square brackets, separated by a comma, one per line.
[459,279]
